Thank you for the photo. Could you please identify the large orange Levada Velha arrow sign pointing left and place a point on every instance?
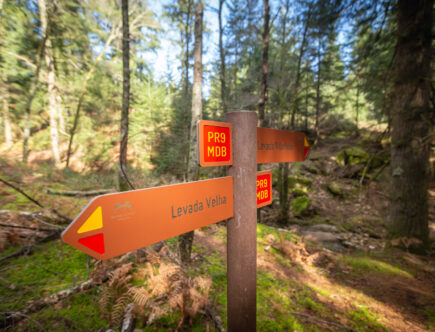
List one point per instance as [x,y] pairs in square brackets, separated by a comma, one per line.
[114,224]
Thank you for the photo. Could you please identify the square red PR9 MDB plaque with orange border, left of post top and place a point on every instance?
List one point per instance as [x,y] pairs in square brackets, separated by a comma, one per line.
[214,143]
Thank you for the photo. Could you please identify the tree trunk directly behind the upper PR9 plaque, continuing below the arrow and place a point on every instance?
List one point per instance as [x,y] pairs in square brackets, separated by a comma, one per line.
[186,240]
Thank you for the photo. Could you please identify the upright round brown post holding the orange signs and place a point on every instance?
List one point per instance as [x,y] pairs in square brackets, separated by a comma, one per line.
[242,229]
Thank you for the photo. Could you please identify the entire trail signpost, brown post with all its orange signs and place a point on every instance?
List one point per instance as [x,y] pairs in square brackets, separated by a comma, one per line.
[114,224]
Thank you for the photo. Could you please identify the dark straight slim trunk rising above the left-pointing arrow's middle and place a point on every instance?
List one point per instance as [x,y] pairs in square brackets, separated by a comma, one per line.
[122,176]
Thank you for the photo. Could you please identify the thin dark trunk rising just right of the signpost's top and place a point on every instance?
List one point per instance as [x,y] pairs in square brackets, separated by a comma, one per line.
[264,65]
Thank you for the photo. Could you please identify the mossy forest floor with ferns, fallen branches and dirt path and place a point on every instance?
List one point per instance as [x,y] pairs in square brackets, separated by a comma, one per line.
[328,268]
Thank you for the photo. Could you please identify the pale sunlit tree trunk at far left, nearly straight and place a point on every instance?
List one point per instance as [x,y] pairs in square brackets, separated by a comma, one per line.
[51,83]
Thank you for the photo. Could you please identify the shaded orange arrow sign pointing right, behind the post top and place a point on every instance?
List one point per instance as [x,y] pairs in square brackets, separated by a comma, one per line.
[276,146]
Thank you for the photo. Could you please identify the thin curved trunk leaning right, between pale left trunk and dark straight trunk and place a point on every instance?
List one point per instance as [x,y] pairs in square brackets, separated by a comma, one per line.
[89,75]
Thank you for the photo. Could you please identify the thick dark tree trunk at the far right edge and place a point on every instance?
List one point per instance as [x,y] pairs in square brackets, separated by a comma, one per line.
[411,121]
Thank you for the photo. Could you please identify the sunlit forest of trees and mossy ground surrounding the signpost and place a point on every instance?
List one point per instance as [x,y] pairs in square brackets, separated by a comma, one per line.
[103,97]
